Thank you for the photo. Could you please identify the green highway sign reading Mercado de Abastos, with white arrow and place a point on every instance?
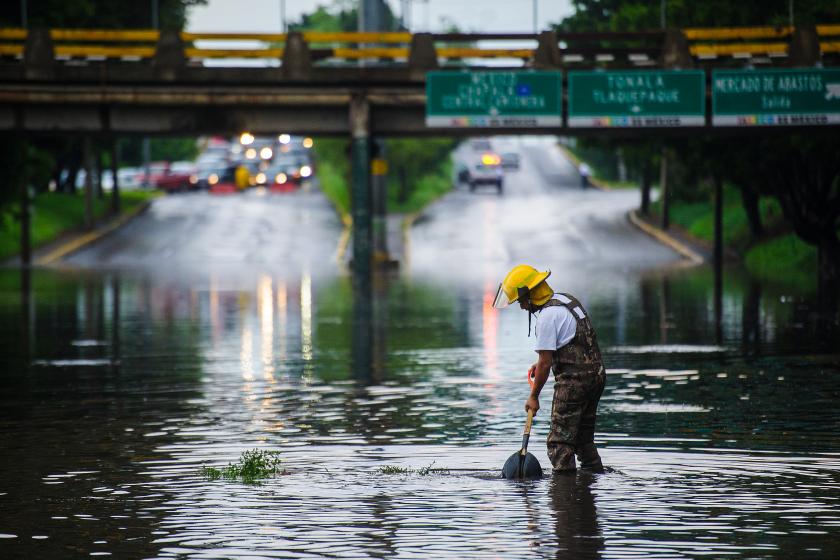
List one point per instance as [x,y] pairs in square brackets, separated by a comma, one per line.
[803,96]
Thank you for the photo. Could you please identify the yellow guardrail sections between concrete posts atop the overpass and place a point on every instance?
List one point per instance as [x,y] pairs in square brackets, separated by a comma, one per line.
[637,48]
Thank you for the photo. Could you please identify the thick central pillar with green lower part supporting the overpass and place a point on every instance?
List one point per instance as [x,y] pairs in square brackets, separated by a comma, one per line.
[360,188]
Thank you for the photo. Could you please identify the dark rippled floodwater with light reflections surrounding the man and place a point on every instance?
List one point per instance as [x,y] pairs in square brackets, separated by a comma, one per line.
[719,423]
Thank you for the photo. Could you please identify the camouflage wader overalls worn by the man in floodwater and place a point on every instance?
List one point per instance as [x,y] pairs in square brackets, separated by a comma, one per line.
[579,381]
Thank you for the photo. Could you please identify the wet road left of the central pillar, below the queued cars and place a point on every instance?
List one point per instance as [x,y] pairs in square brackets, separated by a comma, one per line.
[198,233]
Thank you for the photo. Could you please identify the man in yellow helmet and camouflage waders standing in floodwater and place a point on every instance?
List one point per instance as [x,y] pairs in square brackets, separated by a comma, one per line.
[566,344]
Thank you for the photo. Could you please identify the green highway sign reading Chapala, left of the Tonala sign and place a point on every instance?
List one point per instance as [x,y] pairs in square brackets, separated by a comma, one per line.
[519,99]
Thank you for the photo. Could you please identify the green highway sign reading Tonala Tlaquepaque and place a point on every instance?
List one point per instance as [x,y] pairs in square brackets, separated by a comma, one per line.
[637,98]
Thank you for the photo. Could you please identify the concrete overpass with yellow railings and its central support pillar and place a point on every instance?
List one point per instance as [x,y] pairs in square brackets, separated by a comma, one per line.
[361,85]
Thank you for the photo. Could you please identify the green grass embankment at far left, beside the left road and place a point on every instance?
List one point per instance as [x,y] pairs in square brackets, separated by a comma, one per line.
[54,214]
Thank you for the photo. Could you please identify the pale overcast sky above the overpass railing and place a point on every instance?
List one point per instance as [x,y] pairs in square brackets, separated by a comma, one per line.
[263,16]
